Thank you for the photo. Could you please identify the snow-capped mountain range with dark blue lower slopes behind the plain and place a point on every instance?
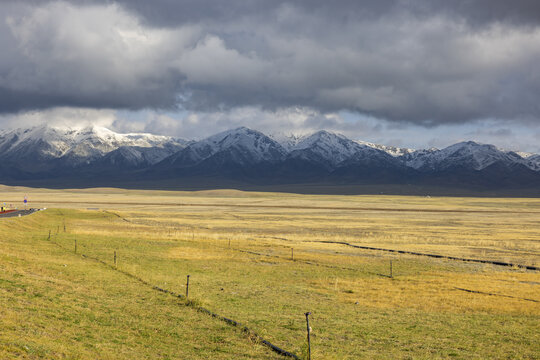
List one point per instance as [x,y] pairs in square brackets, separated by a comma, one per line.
[98,156]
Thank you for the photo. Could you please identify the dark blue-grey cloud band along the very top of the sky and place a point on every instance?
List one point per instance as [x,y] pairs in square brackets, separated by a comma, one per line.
[173,12]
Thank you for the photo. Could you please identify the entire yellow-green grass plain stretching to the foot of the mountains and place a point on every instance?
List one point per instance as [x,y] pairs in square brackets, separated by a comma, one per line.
[237,247]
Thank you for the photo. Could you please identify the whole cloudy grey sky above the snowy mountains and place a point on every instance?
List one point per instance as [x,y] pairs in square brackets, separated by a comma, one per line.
[411,73]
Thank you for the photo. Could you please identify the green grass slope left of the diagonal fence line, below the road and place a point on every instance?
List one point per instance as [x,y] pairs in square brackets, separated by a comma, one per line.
[55,304]
